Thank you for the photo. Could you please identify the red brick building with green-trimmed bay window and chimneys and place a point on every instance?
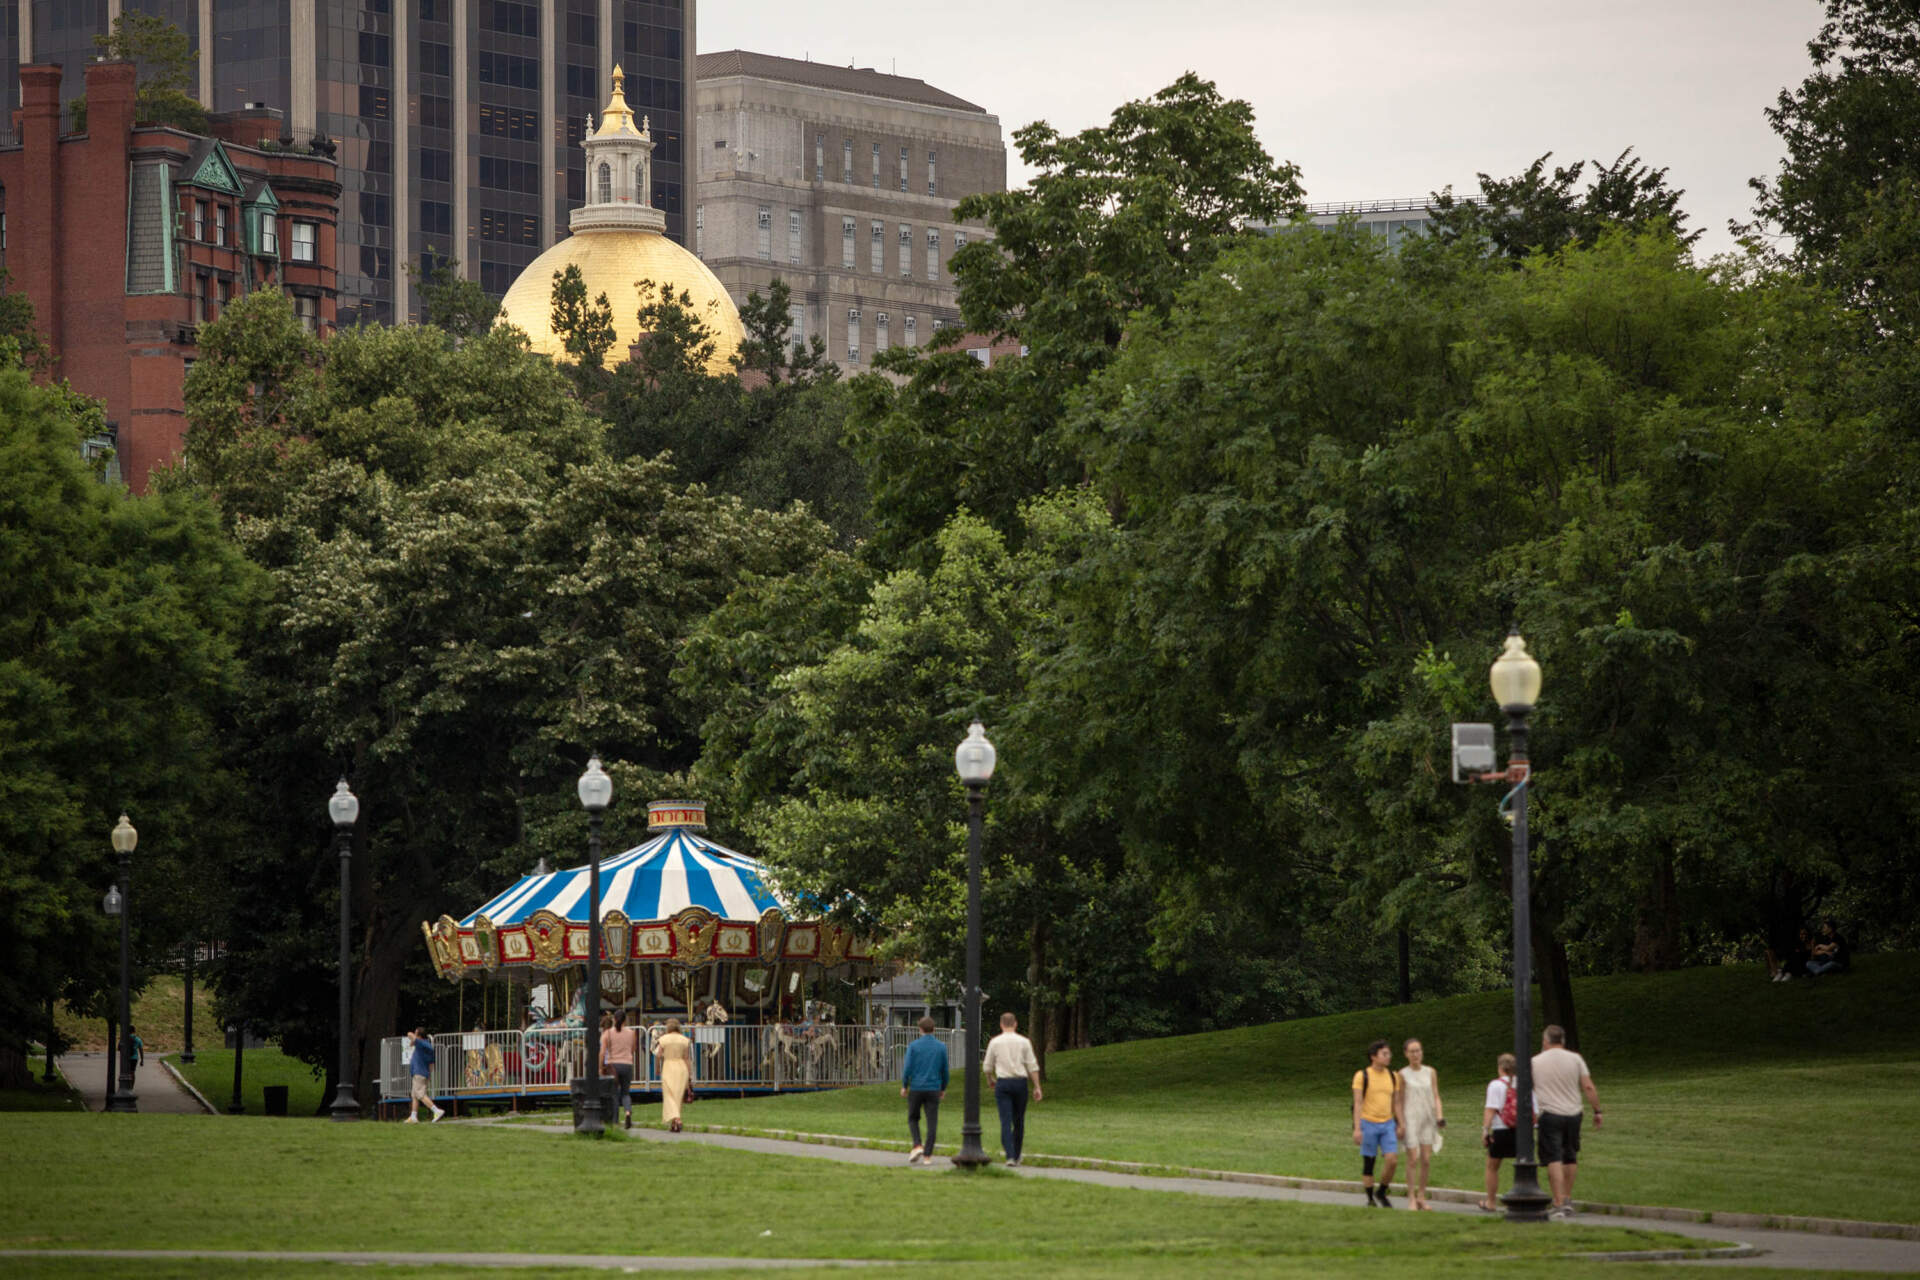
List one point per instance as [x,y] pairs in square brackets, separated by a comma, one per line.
[128,237]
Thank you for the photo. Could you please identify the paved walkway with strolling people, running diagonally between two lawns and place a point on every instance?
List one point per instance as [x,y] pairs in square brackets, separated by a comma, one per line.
[1779,1248]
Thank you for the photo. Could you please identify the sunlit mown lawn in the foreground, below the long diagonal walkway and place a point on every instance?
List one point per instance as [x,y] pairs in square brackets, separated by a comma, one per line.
[183,1183]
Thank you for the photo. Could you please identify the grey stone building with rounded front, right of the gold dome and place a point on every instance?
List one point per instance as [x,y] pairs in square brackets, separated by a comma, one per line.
[840,181]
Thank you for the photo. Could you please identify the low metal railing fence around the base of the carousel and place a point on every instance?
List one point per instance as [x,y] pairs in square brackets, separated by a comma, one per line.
[763,1056]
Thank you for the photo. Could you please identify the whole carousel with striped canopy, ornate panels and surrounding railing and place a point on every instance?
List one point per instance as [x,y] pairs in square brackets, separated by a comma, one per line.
[690,930]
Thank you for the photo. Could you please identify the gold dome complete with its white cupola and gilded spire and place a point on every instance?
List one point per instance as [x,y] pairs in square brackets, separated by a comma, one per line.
[621,241]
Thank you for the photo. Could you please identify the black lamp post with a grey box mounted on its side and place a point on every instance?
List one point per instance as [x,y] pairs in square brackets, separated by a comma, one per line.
[1516,682]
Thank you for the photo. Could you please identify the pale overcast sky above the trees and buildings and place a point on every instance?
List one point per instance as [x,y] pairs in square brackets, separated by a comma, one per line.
[1372,99]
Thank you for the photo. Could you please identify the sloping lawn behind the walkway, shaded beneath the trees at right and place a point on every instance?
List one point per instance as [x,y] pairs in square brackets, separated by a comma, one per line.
[1723,1091]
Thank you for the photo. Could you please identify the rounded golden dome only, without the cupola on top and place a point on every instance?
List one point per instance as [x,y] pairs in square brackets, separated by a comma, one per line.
[613,262]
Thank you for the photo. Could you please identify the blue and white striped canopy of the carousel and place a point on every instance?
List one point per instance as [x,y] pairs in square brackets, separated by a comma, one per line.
[658,880]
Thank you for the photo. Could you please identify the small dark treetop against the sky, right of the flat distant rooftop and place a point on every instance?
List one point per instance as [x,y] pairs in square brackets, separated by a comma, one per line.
[1535,212]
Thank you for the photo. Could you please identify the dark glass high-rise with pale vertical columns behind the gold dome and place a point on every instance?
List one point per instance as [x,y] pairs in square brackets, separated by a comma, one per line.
[458,122]
